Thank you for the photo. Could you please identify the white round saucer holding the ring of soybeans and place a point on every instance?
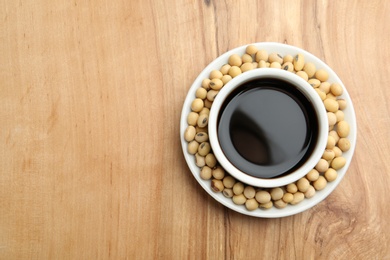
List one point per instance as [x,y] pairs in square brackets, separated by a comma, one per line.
[349,116]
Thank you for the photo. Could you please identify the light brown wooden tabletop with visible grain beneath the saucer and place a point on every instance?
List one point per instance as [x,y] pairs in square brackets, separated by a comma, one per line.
[90,100]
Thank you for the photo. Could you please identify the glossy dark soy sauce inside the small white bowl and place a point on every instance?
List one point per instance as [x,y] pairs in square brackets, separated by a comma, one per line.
[267,128]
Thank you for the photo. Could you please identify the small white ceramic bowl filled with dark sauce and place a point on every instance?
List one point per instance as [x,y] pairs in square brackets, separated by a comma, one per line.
[305,88]
